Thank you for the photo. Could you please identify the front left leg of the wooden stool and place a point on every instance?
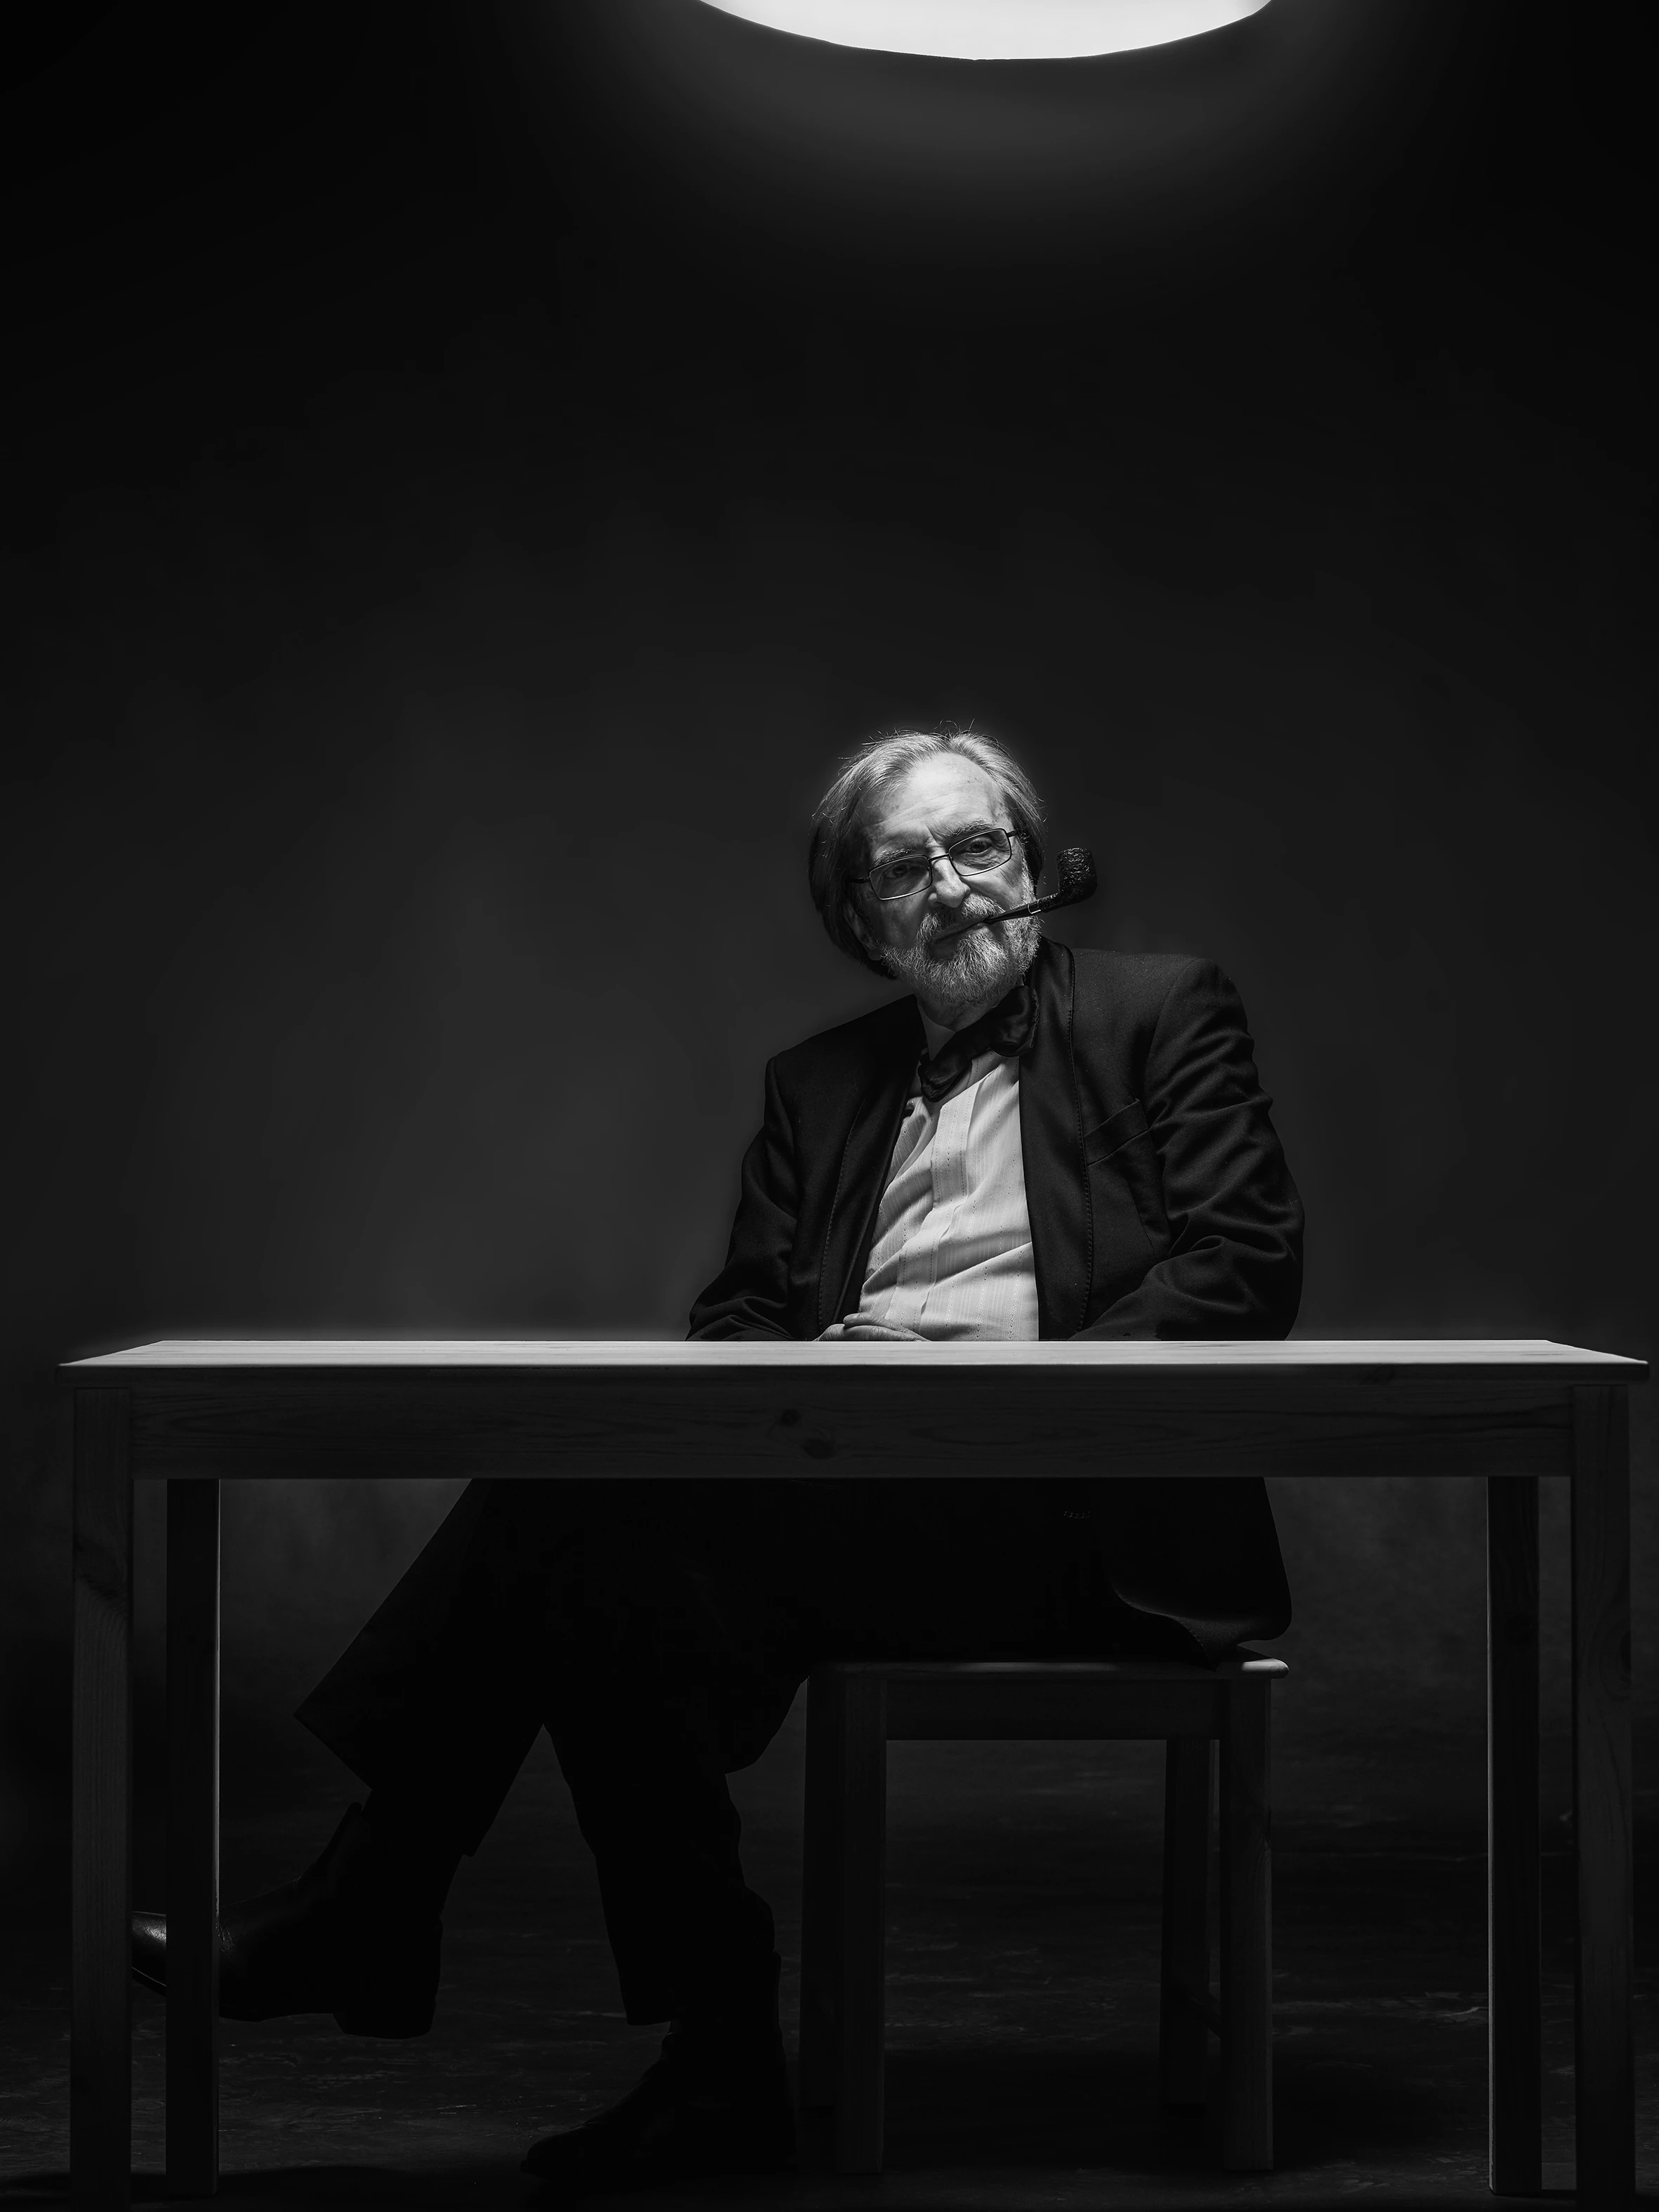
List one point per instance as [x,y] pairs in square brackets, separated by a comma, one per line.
[864,1923]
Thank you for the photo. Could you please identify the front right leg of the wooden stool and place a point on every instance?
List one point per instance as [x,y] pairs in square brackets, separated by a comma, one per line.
[1246,1932]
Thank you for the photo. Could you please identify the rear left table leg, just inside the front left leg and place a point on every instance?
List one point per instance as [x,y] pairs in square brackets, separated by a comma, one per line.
[194,1839]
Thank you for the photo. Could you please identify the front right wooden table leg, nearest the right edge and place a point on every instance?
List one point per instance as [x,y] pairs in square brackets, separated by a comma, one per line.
[1605,2069]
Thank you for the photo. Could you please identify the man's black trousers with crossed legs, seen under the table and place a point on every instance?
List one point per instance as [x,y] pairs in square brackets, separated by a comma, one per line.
[660,1634]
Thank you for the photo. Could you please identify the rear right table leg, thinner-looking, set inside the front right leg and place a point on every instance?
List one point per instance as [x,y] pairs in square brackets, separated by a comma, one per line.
[1514,1954]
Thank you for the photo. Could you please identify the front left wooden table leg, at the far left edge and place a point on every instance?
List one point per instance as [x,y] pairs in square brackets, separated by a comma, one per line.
[101,2047]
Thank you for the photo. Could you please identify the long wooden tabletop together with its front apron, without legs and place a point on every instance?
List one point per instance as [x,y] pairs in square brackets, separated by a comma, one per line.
[280,1408]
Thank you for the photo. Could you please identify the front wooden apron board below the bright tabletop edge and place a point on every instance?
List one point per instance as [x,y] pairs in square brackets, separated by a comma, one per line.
[897,1423]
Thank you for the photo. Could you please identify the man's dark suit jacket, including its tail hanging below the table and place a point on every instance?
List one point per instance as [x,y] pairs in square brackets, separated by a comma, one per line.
[1160,1207]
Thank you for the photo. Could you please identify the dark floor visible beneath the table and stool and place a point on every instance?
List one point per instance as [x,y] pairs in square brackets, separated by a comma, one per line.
[1023,2007]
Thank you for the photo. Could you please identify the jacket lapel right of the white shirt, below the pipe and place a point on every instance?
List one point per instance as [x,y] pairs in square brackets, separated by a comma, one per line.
[1063,1238]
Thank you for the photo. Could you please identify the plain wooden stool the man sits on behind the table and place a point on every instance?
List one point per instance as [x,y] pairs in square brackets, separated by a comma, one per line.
[857,1711]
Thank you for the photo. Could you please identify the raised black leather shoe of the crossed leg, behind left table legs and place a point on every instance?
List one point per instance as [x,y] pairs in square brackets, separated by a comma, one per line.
[344,1939]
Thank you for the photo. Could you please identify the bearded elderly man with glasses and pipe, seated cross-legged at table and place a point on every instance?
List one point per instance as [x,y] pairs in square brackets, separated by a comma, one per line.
[1034,1145]
